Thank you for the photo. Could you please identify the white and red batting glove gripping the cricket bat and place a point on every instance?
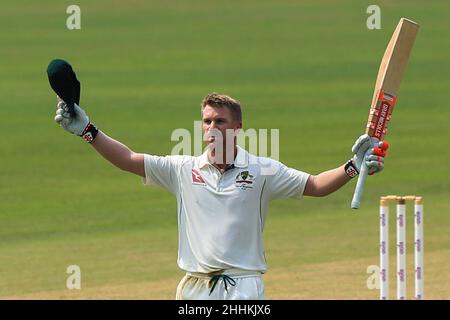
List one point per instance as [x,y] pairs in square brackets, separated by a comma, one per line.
[374,159]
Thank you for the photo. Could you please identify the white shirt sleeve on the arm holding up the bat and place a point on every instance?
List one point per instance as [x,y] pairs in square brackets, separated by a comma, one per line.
[287,183]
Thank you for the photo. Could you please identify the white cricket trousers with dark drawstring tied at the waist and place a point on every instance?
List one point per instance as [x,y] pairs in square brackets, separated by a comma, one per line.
[231,284]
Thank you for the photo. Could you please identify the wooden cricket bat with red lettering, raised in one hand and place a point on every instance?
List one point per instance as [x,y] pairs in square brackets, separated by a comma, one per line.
[390,74]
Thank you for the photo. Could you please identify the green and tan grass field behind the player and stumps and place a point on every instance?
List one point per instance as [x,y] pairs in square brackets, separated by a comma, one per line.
[304,67]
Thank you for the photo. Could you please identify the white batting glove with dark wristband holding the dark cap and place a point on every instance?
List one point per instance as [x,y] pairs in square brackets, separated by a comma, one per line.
[76,123]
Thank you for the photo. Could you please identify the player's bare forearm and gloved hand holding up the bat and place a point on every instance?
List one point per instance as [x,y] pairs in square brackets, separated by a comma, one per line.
[329,181]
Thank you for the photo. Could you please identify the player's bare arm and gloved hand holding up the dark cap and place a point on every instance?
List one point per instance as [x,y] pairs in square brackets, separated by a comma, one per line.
[112,150]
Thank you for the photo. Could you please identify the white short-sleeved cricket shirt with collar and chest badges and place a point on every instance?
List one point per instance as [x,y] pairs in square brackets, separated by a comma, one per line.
[221,215]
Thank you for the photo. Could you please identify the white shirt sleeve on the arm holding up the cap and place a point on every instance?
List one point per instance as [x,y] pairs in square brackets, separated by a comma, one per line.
[162,171]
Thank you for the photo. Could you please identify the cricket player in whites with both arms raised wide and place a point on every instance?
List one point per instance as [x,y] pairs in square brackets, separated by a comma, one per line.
[222,196]
